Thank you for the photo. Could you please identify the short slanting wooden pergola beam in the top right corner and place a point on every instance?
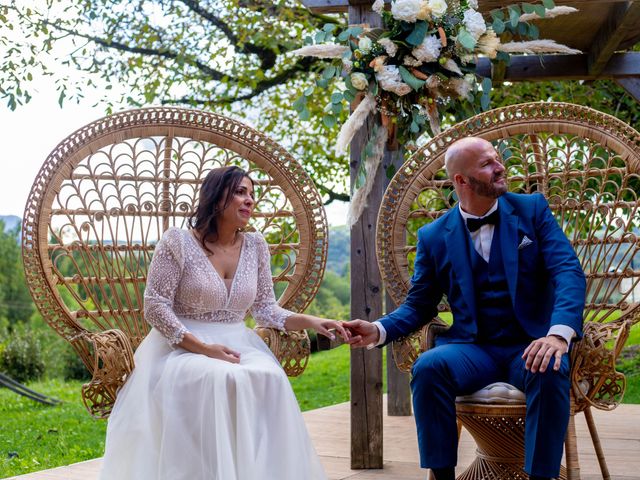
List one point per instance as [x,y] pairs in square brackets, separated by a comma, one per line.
[624,18]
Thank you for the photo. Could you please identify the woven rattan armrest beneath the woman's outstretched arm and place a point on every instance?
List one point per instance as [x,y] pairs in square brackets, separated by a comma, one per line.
[291,348]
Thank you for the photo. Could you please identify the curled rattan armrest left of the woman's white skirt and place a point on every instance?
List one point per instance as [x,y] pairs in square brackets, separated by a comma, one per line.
[112,364]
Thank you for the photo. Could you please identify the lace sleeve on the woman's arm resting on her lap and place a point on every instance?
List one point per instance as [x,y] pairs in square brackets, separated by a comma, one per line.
[163,278]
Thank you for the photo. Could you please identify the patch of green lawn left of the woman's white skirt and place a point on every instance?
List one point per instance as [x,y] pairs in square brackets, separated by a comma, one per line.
[36,437]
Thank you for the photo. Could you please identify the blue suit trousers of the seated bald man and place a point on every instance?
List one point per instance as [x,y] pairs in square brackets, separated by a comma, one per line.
[450,370]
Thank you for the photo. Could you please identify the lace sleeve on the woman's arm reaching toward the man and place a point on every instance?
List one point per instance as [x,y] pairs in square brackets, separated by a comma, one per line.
[265,309]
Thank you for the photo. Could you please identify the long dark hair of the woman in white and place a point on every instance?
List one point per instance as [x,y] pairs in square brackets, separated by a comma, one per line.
[216,193]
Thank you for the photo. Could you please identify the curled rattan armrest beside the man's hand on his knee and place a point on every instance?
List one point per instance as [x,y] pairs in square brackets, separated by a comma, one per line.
[594,379]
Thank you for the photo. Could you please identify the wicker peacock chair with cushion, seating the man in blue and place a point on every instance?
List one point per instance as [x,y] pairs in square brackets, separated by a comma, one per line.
[587,164]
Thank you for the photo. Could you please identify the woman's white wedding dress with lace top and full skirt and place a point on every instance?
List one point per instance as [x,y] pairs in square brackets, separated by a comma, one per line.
[185,416]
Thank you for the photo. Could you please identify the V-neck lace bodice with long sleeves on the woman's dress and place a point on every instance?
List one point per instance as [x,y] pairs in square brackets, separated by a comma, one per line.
[181,282]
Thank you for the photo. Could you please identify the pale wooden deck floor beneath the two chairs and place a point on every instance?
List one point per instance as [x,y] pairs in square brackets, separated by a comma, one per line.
[329,428]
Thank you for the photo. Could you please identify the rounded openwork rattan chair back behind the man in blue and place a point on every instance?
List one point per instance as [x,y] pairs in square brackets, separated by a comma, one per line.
[586,163]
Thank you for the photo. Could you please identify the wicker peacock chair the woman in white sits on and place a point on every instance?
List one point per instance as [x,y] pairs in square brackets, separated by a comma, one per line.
[104,197]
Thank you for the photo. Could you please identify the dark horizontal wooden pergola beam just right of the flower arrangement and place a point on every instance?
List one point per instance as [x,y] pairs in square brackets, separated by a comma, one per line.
[529,68]
